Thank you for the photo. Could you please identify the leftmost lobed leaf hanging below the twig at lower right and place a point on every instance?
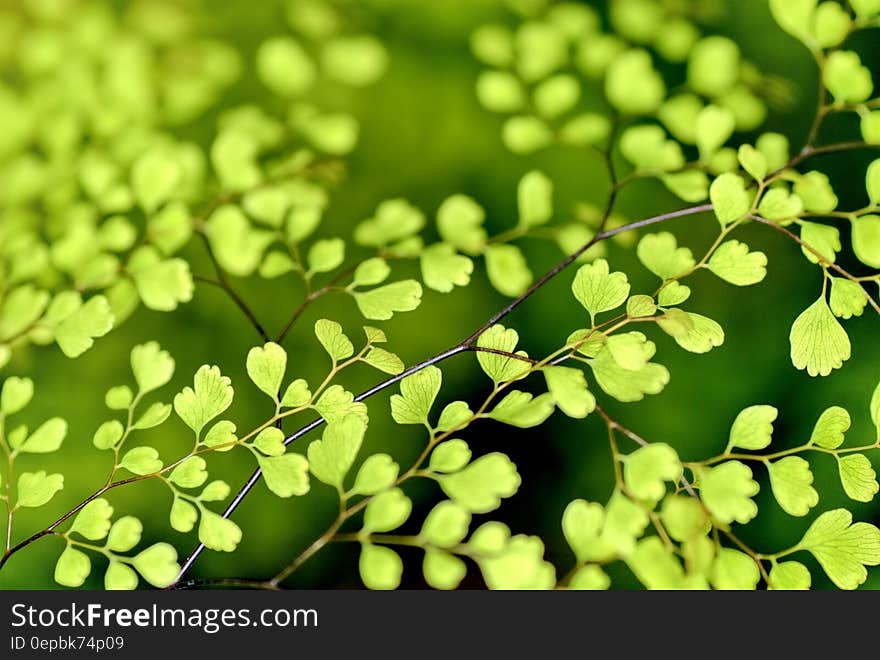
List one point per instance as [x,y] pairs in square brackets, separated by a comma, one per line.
[727,492]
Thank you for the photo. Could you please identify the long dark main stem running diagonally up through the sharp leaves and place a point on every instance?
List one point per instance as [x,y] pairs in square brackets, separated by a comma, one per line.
[465,345]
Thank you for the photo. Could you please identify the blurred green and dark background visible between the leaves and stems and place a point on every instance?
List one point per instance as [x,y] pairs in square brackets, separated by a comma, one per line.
[424,137]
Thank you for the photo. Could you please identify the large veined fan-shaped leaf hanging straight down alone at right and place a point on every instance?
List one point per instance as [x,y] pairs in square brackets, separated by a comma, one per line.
[819,343]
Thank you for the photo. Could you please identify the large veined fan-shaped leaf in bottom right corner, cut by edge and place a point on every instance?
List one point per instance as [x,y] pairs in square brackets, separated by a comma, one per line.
[843,548]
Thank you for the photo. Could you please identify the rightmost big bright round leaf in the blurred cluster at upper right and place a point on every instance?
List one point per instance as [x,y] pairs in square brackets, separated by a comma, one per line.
[632,86]
